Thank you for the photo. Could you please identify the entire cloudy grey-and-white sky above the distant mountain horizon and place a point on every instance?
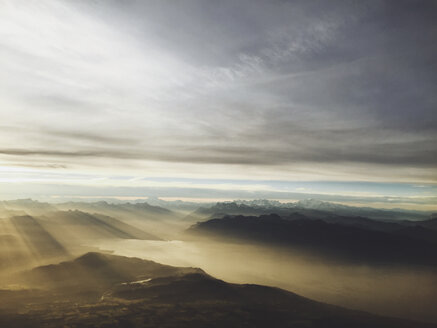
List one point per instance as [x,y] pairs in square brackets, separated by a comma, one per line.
[219,99]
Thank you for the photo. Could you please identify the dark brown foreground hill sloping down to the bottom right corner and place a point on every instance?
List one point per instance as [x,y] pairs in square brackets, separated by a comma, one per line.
[138,293]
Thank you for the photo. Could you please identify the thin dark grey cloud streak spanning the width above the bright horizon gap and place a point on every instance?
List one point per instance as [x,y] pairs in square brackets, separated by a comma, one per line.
[402,154]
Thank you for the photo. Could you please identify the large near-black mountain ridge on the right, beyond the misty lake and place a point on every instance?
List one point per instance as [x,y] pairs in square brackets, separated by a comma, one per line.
[321,238]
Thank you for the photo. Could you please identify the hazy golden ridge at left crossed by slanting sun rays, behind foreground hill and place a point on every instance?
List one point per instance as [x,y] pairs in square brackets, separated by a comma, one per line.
[27,241]
